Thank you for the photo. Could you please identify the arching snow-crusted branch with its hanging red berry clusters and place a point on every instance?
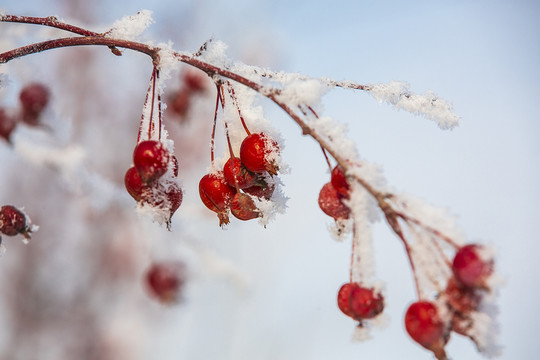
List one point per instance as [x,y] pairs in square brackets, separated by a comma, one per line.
[445,287]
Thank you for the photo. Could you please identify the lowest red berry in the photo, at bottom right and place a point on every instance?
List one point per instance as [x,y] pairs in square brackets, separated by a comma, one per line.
[424,324]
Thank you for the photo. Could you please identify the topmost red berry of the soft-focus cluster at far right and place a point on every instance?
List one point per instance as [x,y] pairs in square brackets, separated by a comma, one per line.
[470,267]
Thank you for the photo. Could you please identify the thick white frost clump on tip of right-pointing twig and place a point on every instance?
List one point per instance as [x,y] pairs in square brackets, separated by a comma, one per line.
[428,104]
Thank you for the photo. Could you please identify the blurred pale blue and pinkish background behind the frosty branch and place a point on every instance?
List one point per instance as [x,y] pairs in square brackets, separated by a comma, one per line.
[250,292]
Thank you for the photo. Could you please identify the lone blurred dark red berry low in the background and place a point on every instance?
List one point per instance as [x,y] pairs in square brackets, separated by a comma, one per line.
[164,280]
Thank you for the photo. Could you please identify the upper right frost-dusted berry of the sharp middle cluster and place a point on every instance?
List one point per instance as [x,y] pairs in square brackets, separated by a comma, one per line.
[256,152]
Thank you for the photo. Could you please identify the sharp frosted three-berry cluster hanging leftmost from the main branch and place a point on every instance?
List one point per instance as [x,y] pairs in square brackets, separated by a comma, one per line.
[143,181]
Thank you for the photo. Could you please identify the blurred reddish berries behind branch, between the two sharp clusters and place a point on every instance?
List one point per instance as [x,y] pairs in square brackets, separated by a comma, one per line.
[192,83]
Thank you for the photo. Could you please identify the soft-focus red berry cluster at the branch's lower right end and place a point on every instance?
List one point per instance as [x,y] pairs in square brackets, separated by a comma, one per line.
[430,323]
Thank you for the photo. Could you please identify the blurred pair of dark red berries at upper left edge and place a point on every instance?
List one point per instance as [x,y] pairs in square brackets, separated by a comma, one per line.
[33,100]
